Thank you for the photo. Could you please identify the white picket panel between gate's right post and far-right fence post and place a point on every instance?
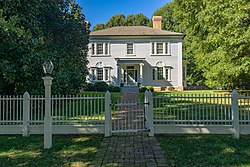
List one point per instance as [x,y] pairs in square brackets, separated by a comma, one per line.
[193,109]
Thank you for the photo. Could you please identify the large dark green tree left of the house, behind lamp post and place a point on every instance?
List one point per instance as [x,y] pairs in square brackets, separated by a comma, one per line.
[33,31]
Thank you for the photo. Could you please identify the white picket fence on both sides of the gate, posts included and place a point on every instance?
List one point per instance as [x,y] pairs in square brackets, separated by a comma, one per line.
[203,114]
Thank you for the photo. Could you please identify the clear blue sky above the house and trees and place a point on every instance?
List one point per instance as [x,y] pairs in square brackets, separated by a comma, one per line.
[100,11]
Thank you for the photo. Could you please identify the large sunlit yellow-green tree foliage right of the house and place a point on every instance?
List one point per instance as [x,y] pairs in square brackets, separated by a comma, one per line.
[217,39]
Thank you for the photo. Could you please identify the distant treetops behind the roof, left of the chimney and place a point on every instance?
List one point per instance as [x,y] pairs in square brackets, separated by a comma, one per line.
[121,20]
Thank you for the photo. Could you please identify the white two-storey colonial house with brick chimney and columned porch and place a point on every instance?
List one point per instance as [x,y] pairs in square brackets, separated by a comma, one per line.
[137,55]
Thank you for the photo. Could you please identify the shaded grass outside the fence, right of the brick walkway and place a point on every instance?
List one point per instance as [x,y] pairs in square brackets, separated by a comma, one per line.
[206,150]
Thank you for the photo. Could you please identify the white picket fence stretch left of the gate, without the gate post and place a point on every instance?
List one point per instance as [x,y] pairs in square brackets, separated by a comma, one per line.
[25,114]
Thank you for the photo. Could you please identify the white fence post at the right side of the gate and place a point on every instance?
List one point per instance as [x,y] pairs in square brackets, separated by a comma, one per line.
[150,114]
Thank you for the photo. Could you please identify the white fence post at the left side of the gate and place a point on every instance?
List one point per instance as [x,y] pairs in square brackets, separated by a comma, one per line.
[108,122]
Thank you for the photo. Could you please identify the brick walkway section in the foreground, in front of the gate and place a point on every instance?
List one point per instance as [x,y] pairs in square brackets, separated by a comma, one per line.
[130,150]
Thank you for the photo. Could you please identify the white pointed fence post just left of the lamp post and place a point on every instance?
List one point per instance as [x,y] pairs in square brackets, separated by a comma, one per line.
[26,114]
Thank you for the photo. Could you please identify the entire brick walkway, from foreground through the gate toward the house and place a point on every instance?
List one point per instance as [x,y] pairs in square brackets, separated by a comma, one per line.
[129,150]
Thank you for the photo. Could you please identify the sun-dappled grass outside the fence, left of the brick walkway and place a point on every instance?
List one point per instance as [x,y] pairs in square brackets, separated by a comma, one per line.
[67,150]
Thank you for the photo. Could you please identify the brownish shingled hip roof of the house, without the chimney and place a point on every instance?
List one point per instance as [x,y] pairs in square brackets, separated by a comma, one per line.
[134,31]
